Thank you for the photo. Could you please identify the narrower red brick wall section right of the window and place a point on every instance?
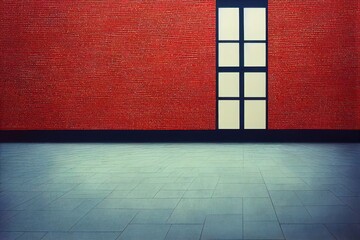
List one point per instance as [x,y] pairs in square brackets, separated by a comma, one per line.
[314,64]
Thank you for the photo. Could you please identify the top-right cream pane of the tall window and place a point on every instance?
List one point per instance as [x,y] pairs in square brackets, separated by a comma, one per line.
[254,23]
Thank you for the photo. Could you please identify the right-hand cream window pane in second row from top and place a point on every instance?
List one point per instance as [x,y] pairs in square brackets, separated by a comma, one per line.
[255,54]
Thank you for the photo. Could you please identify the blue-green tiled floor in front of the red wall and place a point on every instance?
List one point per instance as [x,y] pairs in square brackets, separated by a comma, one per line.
[179,191]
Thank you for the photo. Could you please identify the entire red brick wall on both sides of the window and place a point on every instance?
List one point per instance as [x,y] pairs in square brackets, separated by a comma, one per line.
[151,64]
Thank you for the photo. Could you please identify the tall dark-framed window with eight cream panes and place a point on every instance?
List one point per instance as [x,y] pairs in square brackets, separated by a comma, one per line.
[242,64]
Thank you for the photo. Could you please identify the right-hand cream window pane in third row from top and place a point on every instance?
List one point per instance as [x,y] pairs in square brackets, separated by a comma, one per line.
[255,84]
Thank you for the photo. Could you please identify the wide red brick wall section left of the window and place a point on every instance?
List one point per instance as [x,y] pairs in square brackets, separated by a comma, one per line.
[107,64]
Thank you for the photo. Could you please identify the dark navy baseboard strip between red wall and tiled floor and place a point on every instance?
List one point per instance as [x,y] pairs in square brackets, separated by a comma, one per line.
[70,136]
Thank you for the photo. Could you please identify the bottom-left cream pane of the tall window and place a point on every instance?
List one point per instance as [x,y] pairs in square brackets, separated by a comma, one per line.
[229,114]
